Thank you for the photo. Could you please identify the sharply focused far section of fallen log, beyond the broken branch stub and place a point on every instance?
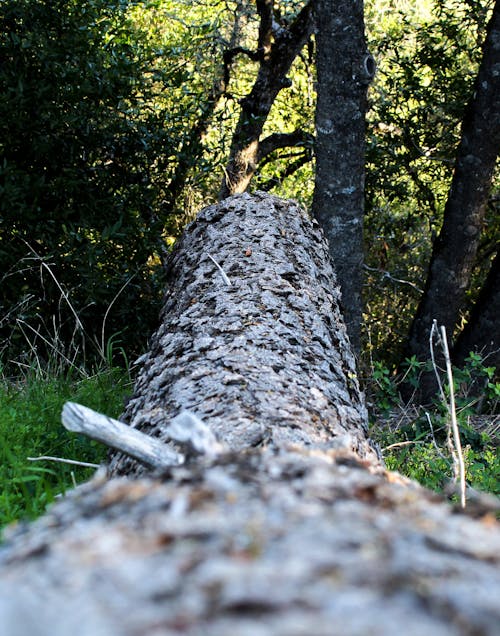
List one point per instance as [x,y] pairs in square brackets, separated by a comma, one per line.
[264,360]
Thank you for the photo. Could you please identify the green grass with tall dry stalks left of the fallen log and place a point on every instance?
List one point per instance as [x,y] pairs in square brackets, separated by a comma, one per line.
[33,388]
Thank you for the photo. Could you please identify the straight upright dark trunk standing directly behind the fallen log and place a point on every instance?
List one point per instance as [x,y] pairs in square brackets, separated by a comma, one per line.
[345,69]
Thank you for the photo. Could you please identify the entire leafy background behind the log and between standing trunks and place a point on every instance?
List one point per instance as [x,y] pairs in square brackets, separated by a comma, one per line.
[117,120]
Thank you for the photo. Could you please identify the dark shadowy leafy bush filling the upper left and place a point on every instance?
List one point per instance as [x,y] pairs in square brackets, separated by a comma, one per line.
[82,168]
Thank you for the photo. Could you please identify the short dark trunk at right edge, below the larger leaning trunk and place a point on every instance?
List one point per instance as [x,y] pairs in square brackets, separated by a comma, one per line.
[482,331]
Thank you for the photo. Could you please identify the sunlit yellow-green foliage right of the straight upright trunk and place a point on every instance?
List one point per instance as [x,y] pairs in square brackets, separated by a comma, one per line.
[427,68]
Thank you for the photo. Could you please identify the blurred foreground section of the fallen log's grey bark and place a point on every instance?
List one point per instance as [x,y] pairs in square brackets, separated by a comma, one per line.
[258,544]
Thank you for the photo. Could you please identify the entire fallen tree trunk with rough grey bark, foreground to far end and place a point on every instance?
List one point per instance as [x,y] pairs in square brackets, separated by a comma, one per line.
[288,523]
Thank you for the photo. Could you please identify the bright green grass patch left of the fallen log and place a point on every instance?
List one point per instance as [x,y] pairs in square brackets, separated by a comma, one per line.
[30,426]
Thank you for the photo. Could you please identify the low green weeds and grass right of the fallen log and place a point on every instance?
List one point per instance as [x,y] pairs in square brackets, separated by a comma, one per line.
[414,439]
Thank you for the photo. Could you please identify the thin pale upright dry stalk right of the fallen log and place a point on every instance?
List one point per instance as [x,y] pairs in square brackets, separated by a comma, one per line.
[455,446]
